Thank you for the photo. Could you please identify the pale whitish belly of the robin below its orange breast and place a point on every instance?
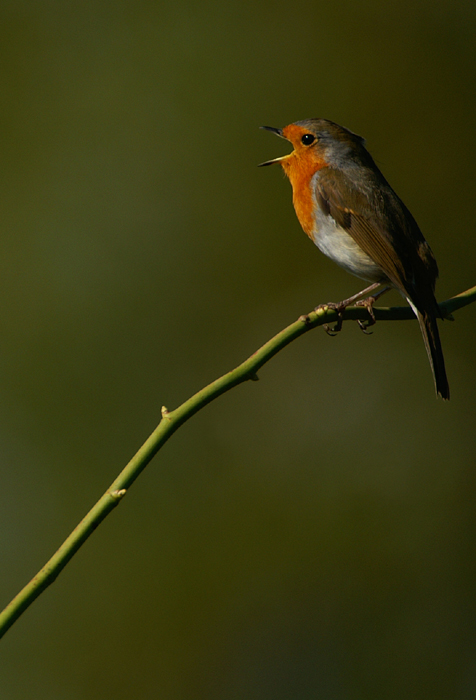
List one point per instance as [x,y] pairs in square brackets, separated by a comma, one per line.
[333,241]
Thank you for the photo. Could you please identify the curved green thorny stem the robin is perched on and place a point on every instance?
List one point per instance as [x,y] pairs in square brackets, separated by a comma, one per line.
[172,420]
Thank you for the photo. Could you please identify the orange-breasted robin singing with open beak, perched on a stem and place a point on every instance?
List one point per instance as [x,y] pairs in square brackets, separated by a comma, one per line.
[348,209]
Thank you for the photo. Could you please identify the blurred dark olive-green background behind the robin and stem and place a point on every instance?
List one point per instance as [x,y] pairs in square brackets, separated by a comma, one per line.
[311,535]
